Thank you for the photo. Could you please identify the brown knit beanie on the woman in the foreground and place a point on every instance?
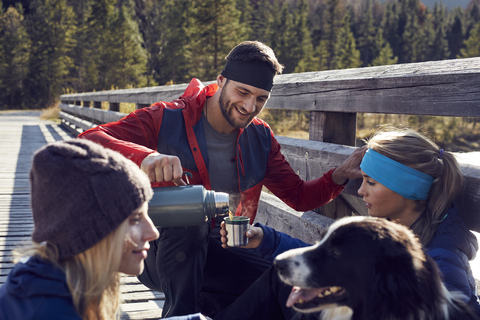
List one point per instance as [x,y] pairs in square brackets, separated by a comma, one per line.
[80,192]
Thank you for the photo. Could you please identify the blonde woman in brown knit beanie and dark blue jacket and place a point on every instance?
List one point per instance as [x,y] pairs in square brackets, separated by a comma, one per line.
[89,208]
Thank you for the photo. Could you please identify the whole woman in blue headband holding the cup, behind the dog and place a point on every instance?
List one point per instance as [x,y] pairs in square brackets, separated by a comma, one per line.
[406,178]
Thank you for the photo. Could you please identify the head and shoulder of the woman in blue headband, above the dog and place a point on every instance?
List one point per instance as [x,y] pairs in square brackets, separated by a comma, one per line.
[408,179]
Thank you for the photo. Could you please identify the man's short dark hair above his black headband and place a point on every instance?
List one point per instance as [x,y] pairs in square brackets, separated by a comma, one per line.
[255,51]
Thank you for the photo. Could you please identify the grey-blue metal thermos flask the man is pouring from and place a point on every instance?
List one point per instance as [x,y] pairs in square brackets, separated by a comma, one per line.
[186,205]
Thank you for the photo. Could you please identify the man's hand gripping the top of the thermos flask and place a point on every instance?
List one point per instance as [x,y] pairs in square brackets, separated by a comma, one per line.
[163,168]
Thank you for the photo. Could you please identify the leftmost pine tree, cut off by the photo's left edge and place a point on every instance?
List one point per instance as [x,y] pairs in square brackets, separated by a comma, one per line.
[14,55]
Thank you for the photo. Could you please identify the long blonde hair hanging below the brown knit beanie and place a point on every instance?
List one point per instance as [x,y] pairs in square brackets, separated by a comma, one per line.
[92,276]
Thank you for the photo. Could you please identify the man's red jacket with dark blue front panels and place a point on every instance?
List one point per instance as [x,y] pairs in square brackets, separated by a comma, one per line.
[174,128]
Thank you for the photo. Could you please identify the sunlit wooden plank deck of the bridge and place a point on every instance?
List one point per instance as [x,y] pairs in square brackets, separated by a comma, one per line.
[21,134]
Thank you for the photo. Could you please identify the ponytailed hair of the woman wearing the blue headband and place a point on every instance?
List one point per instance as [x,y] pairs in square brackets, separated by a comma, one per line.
[415,150]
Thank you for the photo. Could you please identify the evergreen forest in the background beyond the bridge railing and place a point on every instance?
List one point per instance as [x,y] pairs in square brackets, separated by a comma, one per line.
[51,47]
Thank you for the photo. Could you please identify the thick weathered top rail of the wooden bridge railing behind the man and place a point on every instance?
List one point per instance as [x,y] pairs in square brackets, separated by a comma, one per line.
[447,88]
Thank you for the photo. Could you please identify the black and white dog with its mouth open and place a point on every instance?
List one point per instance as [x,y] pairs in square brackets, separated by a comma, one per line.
[368,268]
